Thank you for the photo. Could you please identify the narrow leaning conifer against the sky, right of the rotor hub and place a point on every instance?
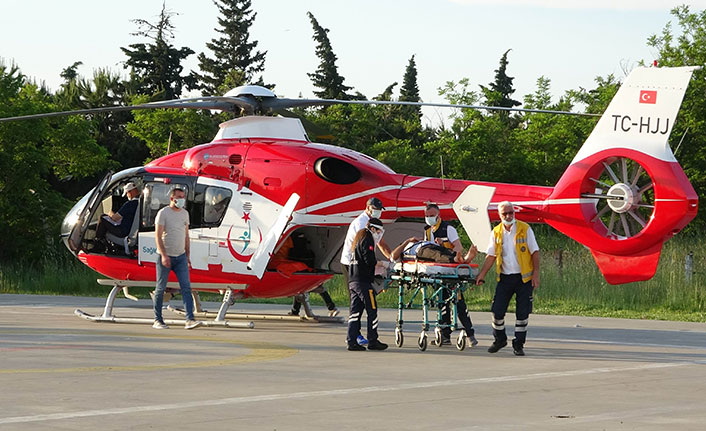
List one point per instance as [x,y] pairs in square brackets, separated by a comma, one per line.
[326,76]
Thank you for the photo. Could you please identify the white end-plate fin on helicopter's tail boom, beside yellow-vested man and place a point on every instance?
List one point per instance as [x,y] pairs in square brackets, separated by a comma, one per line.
[471,207]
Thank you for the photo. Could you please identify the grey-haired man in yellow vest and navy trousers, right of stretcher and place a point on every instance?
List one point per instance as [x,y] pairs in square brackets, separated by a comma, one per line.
[514,250]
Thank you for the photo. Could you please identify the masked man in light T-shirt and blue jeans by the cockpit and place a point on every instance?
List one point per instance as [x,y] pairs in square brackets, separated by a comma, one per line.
[172,235]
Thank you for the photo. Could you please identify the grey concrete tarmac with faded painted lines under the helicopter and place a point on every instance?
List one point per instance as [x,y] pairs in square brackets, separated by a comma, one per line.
[60,372]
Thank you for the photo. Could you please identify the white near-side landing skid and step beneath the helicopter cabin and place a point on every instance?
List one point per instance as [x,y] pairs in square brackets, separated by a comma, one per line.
[122,285]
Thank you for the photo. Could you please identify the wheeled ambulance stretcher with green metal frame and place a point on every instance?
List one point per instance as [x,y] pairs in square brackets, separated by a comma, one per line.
[430,285]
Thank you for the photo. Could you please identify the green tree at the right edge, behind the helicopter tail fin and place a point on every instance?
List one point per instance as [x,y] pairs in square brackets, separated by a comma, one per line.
[689,132]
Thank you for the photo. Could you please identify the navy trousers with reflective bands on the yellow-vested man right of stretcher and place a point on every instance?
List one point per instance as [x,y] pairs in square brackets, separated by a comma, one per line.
[507,286]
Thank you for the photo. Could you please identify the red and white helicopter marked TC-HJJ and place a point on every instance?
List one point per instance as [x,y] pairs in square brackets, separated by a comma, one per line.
[261,179]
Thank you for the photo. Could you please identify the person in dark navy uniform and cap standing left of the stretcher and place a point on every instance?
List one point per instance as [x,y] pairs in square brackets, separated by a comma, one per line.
[361,271]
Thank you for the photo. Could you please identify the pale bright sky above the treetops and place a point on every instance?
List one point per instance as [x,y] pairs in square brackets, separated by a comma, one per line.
[571,42]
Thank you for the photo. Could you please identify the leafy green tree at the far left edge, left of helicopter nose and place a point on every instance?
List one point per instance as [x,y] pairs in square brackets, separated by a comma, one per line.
[33,153]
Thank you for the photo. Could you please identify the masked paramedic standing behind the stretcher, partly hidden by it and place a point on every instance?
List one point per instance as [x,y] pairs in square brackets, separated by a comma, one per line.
[445,235]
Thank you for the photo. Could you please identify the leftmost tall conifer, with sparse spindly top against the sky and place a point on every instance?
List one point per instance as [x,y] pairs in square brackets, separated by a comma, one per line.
[157,66]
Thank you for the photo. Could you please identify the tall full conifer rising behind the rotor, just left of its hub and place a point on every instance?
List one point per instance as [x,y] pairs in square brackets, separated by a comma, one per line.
[235,56]
